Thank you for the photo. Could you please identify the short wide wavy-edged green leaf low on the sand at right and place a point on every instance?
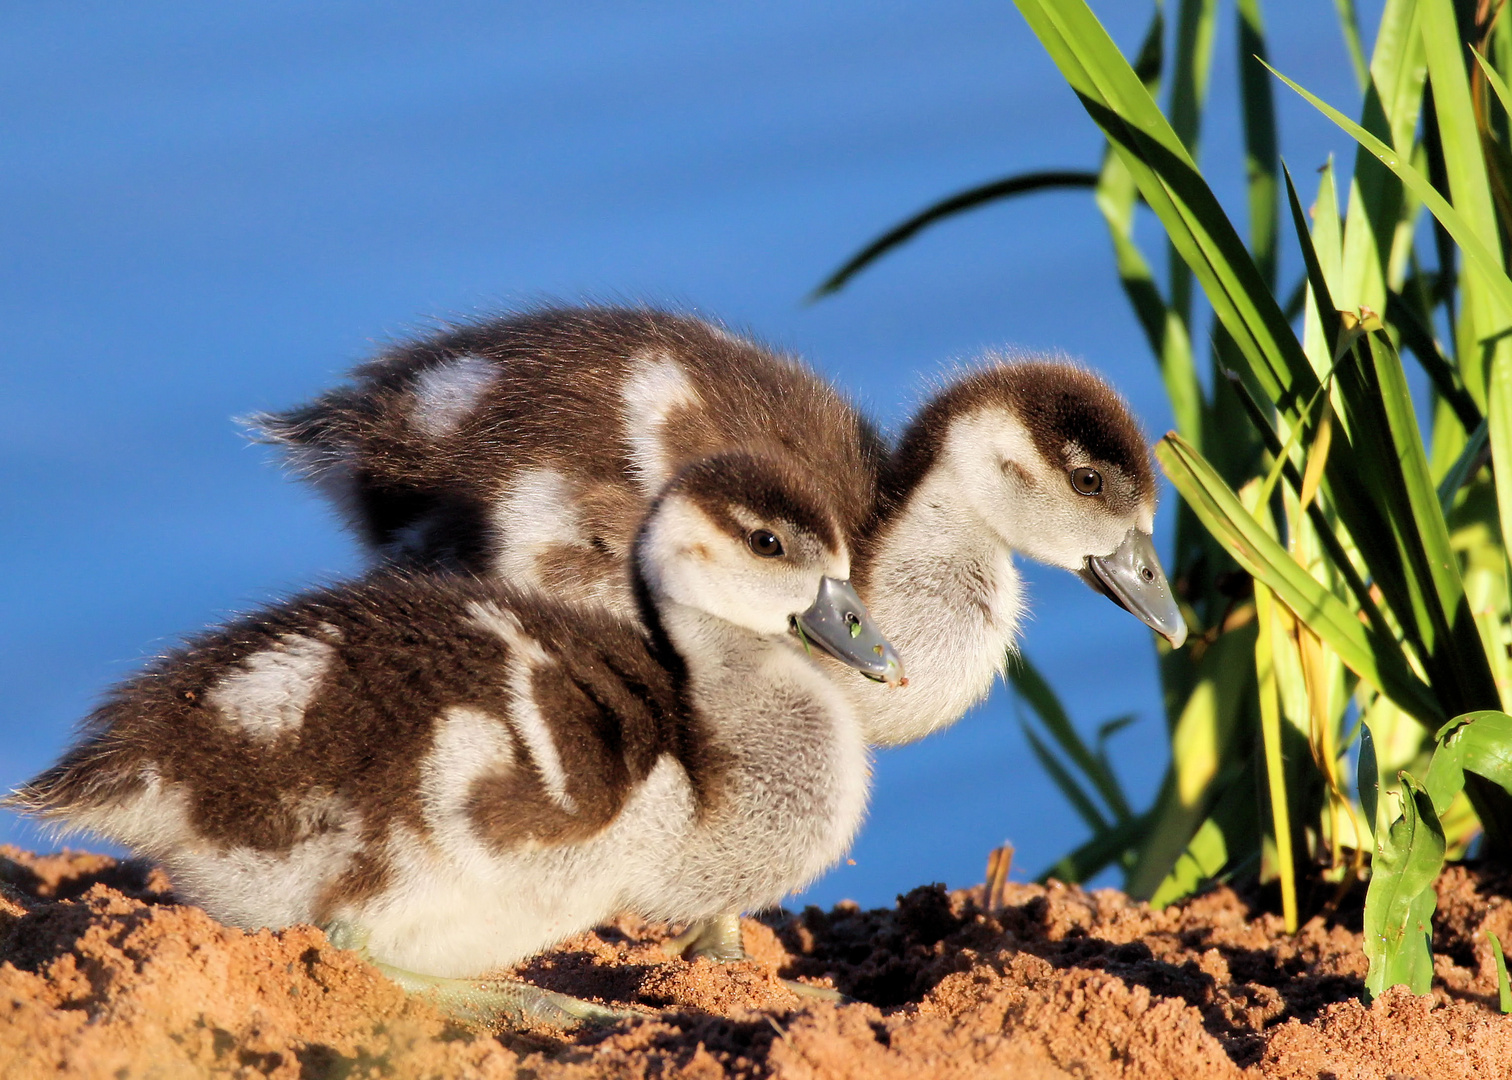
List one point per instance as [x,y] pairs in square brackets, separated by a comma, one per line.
[1399,905]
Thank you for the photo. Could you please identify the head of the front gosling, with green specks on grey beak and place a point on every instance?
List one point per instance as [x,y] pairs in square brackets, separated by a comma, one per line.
[745,539]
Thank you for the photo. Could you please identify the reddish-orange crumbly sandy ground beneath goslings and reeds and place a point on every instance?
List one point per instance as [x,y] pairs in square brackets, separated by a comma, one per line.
[102,975]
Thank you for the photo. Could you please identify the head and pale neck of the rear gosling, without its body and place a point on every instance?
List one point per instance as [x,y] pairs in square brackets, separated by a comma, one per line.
[1032,458]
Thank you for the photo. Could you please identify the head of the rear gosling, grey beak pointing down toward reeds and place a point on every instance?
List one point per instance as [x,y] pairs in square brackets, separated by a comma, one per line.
[1052,459]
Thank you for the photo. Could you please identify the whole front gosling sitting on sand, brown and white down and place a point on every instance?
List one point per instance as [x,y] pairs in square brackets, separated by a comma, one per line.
[454,774]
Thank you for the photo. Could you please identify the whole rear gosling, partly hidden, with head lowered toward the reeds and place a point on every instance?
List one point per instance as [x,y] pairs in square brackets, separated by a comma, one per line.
[527,447]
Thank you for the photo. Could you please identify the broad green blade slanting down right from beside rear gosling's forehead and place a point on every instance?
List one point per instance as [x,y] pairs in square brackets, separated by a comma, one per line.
[1374,657]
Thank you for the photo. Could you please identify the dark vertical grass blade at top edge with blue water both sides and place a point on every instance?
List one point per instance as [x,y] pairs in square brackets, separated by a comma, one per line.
[1262,158]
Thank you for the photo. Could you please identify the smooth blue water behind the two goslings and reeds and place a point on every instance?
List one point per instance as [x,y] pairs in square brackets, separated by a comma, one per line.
[206,211]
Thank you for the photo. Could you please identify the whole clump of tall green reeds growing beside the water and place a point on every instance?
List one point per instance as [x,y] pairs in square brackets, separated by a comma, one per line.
[1342,560]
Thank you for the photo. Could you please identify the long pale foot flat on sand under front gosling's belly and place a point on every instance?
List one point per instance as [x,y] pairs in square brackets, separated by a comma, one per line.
[485,1002]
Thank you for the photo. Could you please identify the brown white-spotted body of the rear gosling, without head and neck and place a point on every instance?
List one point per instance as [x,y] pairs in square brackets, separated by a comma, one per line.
[530,447]
